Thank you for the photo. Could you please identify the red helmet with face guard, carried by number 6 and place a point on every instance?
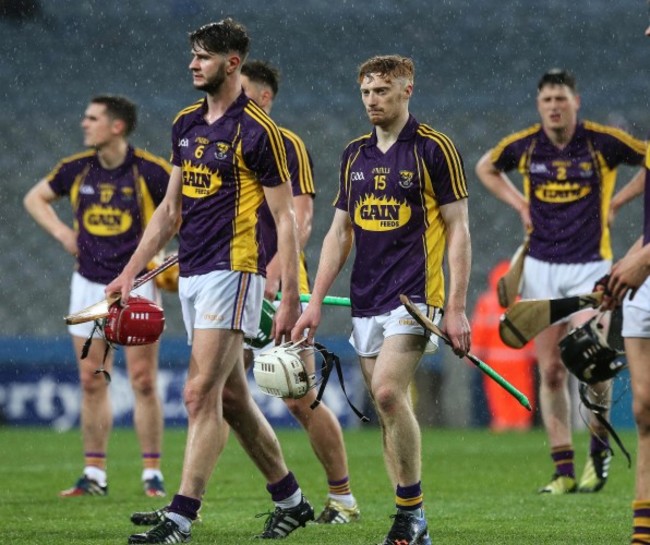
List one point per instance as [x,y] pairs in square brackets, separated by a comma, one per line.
[140,321]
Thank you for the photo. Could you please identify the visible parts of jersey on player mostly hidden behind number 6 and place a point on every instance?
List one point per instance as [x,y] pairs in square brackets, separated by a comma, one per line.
[302,183]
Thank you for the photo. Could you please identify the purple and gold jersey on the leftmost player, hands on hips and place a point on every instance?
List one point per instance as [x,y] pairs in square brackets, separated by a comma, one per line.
[111,207]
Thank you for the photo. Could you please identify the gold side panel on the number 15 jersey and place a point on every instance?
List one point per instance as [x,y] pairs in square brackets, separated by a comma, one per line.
[433,239]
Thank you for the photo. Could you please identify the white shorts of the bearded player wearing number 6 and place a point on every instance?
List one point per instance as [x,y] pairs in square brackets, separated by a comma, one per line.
[221,300]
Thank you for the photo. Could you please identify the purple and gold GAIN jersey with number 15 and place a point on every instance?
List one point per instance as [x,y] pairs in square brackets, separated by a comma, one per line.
[394,201]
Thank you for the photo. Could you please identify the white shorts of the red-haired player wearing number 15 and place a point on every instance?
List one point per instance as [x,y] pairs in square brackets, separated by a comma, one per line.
[368,334]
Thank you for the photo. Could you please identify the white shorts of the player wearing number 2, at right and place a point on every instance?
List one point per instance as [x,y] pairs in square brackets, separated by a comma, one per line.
[544,280]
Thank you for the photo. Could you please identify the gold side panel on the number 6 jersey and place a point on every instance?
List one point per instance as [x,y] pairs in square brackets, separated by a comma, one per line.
[244,250]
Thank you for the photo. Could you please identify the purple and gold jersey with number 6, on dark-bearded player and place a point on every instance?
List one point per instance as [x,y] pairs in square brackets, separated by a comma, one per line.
[224,168]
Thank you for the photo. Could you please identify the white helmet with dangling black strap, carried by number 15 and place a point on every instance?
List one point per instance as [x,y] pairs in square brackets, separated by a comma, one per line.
[280,372]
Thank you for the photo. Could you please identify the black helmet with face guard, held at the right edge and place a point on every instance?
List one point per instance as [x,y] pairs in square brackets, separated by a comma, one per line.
[587,355]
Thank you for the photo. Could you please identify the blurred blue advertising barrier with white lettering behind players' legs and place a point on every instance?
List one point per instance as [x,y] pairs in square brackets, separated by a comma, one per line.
[39,384]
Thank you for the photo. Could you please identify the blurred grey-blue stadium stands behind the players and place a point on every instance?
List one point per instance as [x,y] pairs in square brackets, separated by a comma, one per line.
[477,64]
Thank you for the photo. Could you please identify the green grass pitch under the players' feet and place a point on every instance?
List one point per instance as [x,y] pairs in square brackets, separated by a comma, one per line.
[479,488]
